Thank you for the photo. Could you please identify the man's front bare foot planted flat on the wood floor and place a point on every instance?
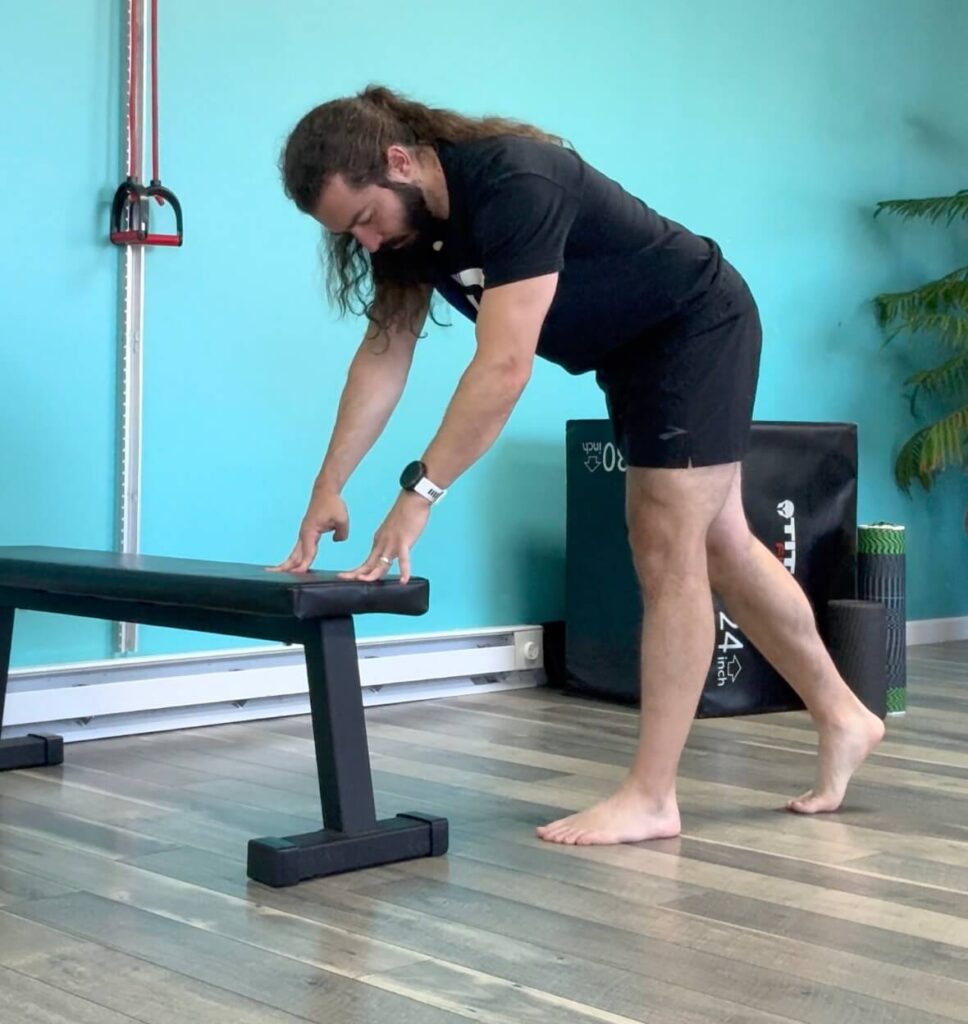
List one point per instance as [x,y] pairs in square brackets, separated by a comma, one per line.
[627,817]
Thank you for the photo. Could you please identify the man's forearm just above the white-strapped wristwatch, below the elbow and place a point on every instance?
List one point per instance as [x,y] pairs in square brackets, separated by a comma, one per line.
[484,401]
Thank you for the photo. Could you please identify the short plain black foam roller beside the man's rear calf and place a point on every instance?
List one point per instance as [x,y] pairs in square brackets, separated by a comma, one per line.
[857,637]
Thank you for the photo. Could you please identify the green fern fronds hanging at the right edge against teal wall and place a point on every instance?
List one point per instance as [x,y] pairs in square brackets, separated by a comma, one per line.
[939,310]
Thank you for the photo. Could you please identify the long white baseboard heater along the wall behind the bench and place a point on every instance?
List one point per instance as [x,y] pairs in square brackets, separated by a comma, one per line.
[122,697]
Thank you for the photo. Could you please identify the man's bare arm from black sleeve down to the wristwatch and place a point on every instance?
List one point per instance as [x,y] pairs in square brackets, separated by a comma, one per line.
[510,323]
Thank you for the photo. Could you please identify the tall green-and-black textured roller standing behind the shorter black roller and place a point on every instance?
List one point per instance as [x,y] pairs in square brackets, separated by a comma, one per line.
[881,572]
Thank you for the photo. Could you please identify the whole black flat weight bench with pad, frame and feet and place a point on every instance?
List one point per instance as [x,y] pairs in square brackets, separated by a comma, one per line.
[315,610]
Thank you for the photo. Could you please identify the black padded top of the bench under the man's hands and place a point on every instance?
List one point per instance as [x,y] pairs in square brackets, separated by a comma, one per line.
[194,583]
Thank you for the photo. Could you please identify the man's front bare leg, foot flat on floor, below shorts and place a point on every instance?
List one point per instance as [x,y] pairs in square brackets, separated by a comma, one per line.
[669,515]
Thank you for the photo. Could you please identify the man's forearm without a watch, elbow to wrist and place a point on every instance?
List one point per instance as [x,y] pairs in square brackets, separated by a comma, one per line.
[370,396]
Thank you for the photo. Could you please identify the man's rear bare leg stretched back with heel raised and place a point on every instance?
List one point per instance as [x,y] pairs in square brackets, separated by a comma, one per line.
[772,610]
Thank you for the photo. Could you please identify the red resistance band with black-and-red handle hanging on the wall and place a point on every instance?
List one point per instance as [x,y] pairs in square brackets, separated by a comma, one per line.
[132,205]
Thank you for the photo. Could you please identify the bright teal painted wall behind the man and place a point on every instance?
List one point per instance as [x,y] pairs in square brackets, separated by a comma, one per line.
[774,127]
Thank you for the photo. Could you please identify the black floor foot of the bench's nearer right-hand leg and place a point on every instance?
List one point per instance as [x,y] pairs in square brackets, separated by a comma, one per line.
[285,862]
